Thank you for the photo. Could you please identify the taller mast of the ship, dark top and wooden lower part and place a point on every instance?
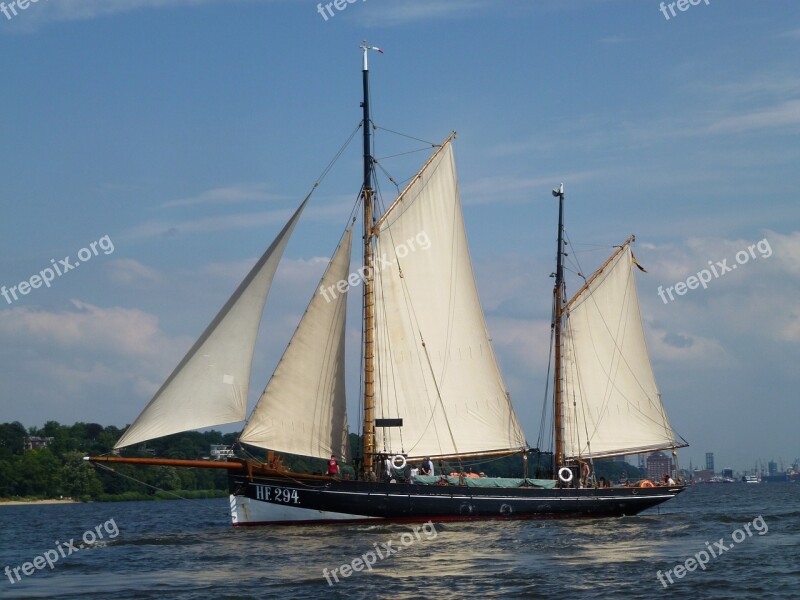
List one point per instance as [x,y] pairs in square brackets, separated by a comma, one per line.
[368,432]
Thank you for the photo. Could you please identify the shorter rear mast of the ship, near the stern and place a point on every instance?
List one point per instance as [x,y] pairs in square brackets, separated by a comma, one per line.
[559,300]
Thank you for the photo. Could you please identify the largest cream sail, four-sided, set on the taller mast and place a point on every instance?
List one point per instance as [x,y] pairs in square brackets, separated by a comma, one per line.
[436,369]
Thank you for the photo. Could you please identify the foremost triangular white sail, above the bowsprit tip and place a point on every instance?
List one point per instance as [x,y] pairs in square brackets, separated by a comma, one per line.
[209,386]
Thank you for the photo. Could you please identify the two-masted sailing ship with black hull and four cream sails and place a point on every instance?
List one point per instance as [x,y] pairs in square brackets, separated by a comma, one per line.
[432,387]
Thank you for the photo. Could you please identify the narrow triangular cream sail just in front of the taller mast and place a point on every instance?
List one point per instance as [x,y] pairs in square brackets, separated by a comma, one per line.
[302,410]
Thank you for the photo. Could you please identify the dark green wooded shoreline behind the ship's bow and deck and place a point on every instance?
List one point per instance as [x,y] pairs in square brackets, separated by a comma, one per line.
[57,469]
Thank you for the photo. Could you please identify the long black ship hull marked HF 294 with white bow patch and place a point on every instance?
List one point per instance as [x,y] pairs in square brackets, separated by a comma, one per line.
[273,499]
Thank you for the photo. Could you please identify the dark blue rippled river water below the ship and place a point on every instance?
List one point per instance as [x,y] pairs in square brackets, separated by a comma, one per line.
[186,550]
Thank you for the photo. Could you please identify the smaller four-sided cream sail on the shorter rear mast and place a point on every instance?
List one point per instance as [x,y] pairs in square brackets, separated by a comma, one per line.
[611,400]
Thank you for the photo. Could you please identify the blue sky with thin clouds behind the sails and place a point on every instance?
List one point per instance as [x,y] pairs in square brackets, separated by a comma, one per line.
[183,134]
